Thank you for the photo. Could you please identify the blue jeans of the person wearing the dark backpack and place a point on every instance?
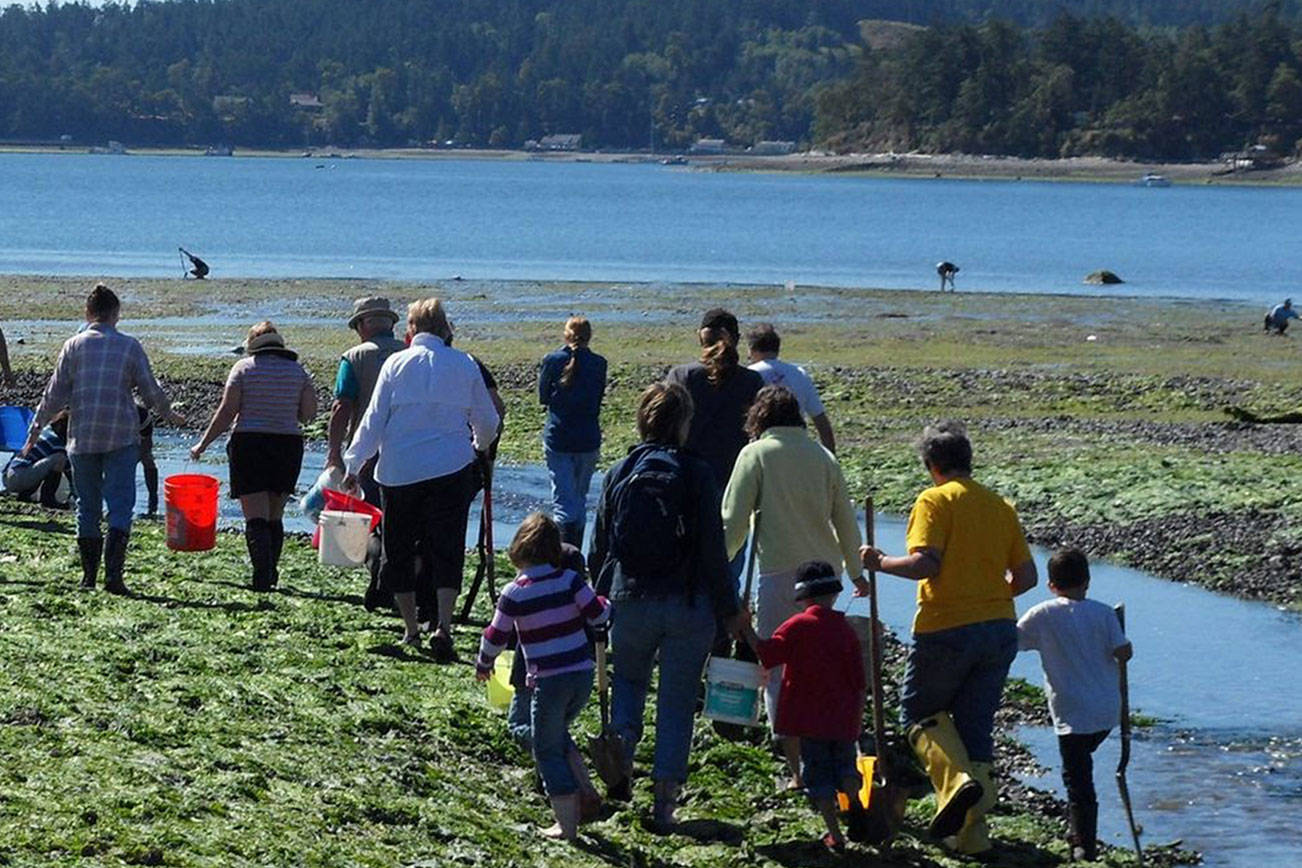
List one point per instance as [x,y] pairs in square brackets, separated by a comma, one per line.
[680,634]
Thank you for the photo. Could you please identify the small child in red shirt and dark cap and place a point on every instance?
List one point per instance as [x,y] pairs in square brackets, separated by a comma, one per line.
[822,698]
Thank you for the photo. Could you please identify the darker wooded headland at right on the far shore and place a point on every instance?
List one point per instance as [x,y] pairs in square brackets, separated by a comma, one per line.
[1077,87]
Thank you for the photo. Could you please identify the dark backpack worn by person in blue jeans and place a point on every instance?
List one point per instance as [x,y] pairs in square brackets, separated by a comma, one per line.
[650,521]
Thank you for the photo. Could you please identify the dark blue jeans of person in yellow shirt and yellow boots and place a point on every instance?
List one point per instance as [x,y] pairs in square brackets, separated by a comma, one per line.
[960,671]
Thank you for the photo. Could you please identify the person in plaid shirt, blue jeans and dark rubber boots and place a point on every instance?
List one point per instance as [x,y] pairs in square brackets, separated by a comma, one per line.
[96,377]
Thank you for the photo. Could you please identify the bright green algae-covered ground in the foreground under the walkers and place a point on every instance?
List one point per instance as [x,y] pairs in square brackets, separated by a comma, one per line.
[201,724]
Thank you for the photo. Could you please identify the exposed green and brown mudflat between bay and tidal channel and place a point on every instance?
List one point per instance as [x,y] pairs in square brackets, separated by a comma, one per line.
[1103,417]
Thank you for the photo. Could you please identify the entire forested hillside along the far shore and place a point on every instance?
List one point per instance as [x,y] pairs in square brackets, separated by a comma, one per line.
[990,76]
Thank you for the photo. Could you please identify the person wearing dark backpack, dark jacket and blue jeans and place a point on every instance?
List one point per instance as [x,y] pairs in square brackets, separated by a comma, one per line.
[658,554]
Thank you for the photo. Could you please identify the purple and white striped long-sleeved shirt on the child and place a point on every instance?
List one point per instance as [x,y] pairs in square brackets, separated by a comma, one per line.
[547,608]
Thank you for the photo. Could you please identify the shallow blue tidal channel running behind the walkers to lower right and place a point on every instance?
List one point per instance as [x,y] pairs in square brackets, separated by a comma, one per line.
[1222,767]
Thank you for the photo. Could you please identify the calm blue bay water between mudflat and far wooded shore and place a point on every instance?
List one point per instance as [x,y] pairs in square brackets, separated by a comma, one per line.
[434,219]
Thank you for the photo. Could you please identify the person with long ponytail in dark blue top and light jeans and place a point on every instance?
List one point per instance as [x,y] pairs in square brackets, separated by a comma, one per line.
[571,385]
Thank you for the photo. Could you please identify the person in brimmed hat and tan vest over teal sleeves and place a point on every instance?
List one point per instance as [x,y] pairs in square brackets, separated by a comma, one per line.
[359,369]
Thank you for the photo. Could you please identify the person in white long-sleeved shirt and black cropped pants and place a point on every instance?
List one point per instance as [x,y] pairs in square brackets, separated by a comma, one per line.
[429,413]
